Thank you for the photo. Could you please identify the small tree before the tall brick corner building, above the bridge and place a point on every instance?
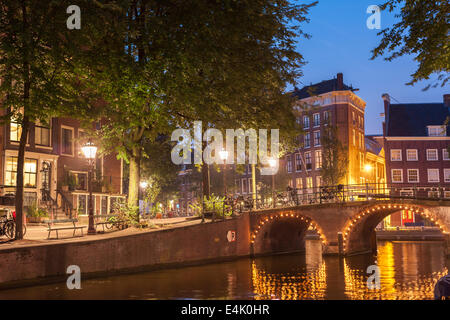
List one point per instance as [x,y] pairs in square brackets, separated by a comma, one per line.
[334,157]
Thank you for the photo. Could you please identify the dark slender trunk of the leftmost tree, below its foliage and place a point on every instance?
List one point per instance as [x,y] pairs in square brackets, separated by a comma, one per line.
[19,179]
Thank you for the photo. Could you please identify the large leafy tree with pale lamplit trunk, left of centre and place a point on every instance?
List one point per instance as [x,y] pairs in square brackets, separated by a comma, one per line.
[226,63]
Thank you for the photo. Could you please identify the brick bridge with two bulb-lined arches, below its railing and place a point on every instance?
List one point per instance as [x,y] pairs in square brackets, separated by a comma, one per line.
[344,228]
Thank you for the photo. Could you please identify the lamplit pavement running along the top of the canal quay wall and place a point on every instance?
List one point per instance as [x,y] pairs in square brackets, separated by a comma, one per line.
[37,234]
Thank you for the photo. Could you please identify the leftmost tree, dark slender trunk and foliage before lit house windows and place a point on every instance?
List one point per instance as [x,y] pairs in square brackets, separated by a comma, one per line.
[34,66]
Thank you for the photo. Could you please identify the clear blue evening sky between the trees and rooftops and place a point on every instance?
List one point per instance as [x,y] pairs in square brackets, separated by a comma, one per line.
[341,42]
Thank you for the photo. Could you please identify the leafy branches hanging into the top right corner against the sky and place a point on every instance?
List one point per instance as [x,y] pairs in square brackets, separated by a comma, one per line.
[422,32]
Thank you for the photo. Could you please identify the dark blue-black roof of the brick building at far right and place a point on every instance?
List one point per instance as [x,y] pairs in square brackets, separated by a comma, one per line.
[411,120]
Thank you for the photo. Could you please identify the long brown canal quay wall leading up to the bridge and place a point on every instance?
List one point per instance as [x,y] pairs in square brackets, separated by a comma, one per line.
[175,247]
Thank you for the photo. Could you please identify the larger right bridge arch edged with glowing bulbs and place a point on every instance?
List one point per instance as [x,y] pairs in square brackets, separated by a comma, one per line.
[359,231]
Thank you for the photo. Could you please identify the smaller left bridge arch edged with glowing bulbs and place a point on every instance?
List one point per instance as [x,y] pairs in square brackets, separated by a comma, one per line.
[278,232]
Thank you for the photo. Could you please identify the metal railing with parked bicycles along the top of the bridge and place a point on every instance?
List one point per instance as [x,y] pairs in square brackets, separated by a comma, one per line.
[332,194]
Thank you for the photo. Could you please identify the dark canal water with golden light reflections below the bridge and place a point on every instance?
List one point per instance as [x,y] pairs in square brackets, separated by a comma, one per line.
[408,270]
